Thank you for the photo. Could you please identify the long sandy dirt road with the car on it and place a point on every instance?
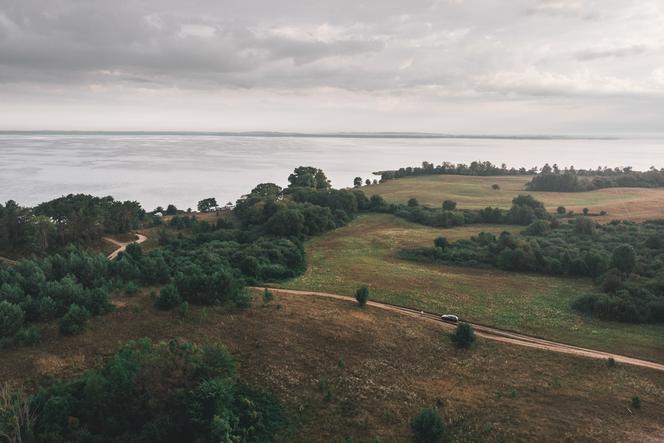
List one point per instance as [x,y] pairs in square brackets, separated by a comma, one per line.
[489,332]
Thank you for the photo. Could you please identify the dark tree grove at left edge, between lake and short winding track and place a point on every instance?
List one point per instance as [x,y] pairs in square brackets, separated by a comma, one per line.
[52,225]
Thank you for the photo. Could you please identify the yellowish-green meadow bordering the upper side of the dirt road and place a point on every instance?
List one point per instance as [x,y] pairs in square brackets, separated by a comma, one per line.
[365,253]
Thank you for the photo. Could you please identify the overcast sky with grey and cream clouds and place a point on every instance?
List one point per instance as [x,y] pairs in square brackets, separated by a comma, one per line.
[444,66]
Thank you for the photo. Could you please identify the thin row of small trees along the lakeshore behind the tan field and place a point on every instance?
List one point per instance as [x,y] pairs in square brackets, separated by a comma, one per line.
[476,168]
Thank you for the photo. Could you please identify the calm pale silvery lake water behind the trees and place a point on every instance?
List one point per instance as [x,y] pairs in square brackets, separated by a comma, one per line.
[157,169]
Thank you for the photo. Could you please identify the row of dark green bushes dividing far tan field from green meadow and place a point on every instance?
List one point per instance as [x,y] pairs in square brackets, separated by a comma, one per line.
[525,210]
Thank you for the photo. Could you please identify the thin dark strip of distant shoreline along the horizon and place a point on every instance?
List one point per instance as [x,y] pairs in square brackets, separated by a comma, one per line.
[374,135]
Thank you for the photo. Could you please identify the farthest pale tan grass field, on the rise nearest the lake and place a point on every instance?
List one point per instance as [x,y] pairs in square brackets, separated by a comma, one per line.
[476,192]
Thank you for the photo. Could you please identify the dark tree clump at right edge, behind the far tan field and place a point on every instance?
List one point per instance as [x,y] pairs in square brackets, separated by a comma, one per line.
[576,181]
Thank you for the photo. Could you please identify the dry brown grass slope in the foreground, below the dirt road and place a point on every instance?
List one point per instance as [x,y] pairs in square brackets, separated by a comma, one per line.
[392,367]
